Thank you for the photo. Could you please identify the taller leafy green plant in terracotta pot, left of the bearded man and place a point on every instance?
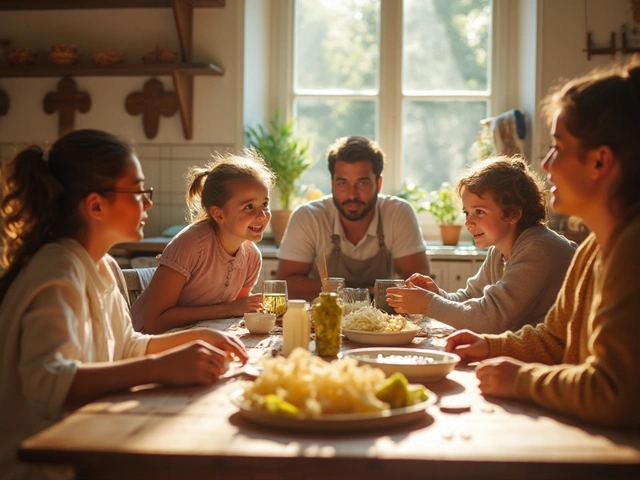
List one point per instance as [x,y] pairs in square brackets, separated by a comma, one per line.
[289,156]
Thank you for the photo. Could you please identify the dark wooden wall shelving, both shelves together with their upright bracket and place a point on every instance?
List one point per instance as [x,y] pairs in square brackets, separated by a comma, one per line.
[182,72]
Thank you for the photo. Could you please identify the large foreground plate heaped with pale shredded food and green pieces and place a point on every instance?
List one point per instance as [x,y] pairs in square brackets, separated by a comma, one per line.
[306,393]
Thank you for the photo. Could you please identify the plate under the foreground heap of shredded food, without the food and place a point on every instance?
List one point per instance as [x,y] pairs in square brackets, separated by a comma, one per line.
[334,422]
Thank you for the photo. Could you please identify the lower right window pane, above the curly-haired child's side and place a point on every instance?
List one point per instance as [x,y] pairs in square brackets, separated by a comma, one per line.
[437,140]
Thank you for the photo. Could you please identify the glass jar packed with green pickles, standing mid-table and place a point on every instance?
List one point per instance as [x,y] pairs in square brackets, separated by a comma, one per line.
[327,315]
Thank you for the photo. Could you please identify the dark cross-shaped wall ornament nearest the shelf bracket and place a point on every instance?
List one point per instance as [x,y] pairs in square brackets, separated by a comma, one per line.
[152,102]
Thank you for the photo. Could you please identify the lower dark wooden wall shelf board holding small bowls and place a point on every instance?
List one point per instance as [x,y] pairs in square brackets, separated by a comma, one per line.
[115,70]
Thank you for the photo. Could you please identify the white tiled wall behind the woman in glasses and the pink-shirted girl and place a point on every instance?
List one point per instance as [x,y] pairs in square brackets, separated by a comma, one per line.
[165,167]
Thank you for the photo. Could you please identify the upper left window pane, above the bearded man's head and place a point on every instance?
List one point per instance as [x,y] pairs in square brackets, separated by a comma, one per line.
[337,44]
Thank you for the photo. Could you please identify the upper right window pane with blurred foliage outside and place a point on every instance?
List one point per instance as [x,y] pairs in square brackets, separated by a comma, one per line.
[446,45]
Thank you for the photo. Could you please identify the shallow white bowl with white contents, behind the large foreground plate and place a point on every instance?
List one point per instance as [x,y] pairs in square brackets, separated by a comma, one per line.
[418,365]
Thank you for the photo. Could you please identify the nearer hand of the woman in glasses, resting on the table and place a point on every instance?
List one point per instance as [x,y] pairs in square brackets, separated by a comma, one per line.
[195,363]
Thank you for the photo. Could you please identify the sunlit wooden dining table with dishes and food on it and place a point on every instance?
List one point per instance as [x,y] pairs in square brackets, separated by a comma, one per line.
[153,432]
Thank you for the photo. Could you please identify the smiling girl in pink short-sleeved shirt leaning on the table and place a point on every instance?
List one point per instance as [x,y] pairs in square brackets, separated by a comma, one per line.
[207,271]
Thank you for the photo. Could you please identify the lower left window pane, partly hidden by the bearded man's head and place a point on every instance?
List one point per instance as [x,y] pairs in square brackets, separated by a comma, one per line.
[326,120]
